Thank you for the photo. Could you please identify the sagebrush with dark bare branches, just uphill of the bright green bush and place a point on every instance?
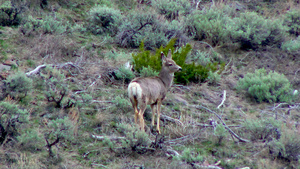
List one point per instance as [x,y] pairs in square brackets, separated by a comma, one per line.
[141,26]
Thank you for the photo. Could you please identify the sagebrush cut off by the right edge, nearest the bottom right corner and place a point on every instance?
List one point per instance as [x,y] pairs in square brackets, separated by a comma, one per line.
[287,147]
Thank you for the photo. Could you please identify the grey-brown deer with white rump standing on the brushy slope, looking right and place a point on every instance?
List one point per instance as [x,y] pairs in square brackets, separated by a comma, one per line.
[143,91]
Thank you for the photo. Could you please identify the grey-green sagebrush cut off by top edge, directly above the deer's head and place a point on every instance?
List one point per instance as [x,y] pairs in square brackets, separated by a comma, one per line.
[171,9]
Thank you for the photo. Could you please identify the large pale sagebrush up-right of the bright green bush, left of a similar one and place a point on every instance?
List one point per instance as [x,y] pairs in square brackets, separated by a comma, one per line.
[210,25]
